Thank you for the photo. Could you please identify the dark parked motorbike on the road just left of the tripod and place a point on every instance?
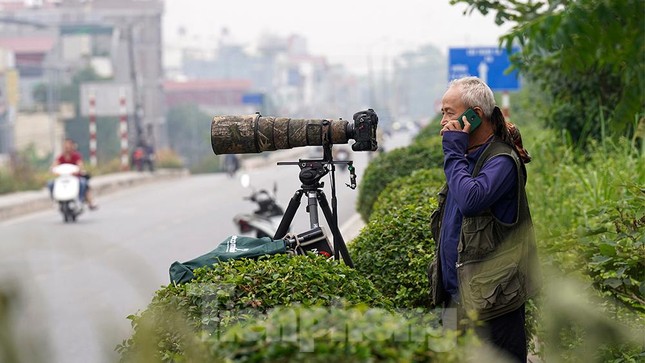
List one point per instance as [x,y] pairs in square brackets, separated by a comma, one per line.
[264,221]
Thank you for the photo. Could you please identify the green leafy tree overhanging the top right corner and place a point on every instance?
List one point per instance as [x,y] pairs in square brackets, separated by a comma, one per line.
[587,55]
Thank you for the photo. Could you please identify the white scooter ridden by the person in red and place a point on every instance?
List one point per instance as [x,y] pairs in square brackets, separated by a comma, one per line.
[66,191]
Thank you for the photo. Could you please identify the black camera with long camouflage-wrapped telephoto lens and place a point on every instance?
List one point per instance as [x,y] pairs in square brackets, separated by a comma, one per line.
[256,133]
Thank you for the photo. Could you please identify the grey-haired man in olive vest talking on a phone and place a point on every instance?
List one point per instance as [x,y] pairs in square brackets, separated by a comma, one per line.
[486,259]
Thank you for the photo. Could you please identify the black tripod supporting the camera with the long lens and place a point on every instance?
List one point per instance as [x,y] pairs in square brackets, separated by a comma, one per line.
[311,171]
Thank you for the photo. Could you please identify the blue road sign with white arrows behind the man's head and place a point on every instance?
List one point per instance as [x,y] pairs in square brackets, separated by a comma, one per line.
[487,63]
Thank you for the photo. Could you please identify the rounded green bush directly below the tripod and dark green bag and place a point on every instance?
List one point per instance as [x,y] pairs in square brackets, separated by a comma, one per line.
[180,316]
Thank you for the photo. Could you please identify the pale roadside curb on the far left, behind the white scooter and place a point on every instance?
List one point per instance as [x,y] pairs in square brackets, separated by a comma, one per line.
[21,203]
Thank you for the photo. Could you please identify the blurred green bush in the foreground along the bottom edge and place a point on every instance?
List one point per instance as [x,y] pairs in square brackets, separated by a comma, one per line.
[338,335]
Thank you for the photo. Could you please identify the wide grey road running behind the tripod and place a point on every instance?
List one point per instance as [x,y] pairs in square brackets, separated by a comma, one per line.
[76,283]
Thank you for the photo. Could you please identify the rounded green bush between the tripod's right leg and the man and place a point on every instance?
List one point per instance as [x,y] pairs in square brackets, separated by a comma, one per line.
[396,247]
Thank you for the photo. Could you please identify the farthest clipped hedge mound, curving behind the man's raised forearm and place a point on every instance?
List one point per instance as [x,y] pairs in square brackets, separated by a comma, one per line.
[396,163]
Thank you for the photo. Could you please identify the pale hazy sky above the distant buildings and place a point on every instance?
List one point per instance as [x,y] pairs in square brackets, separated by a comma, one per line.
[355,33]
